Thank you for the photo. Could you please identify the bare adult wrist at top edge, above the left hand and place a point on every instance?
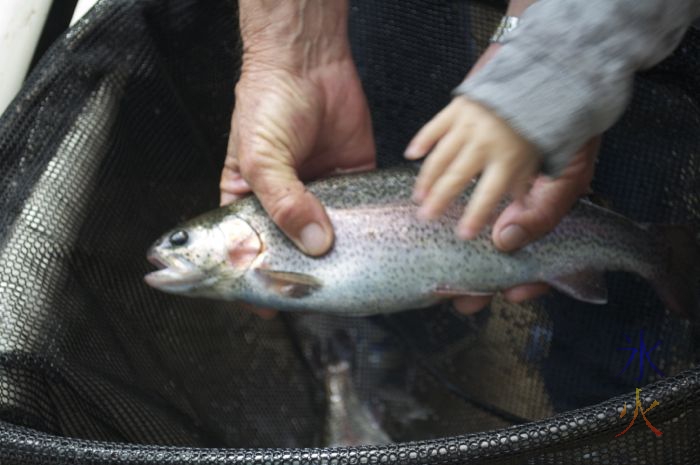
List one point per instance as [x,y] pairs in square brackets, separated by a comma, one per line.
[295,35]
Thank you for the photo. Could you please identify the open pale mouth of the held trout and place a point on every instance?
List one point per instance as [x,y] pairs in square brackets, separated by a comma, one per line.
[176,274]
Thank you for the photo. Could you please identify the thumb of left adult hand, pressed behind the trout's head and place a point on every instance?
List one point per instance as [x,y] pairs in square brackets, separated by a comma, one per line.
[297,212]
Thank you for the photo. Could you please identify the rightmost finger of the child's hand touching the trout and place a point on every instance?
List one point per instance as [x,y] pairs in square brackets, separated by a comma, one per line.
[492,186]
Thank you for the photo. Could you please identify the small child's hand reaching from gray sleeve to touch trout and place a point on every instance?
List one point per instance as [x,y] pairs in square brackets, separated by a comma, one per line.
[467,139]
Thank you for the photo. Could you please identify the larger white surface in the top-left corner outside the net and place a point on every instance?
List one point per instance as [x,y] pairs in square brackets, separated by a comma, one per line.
[21,23]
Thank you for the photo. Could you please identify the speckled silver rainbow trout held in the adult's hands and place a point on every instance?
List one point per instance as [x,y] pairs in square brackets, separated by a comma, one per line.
[385,260]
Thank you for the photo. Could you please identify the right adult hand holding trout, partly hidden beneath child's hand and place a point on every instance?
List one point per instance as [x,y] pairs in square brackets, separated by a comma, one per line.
[526,220]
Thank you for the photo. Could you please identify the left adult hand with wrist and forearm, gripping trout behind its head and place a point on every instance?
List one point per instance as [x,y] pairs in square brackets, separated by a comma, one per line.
[300,113]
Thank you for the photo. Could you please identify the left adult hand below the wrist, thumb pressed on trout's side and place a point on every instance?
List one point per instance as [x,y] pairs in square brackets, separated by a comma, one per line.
[288,127]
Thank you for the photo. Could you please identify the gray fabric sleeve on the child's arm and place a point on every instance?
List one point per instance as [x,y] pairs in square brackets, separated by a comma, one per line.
[565,73]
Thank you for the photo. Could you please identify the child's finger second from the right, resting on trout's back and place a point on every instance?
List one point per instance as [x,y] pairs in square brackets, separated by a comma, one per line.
[452,182]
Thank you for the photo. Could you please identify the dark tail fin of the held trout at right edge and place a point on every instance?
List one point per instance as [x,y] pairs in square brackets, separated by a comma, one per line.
[678,283]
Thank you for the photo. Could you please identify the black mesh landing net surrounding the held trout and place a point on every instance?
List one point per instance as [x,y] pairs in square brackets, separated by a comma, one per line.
[119,134]
